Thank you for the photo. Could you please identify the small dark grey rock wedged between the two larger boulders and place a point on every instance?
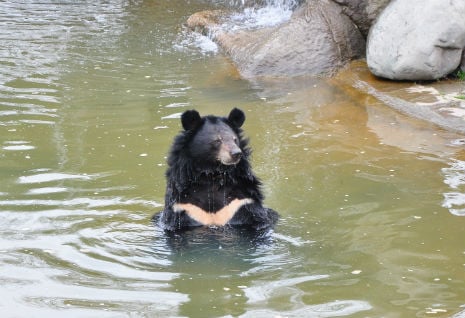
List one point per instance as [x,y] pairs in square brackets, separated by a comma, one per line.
[362,12]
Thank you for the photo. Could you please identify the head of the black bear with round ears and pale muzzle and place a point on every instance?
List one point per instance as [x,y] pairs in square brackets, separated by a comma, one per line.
[214,139]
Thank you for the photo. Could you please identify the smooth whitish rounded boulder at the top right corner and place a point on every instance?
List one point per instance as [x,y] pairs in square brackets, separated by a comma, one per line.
[417,39]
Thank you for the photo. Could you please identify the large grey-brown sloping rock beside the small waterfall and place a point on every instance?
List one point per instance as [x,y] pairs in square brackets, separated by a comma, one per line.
[318,39]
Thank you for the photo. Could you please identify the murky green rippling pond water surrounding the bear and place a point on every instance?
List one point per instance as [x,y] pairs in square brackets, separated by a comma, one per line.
[371,201]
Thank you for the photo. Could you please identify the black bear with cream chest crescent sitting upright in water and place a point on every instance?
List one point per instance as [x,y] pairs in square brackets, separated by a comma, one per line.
[209,178]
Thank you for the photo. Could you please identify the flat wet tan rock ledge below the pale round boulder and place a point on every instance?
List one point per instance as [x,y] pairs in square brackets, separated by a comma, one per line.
[439,102]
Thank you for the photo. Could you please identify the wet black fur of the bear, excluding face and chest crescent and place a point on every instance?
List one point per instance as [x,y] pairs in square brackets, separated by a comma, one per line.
[211,185]
